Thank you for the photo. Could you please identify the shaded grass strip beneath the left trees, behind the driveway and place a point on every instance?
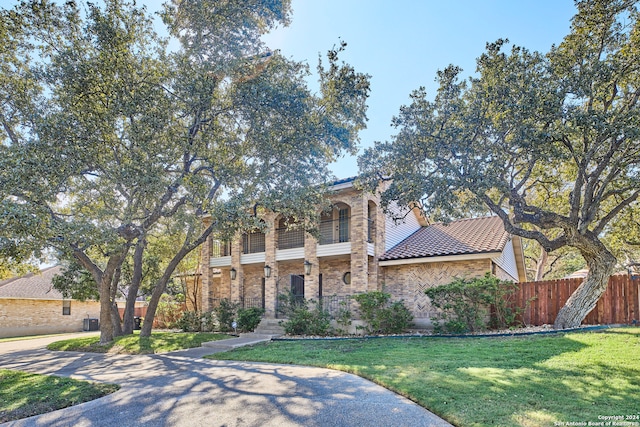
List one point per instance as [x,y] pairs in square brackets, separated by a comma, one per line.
[159,342]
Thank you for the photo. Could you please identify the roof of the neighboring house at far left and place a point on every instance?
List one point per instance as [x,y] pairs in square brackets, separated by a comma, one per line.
[32,286]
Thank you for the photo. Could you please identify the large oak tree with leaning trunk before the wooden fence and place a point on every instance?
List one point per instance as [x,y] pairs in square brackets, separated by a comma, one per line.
[549,142]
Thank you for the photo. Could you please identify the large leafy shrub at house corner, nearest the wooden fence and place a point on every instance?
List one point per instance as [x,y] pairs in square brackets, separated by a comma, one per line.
[471,305]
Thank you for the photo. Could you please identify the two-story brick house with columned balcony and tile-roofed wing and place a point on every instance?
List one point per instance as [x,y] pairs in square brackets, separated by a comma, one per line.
[359,249]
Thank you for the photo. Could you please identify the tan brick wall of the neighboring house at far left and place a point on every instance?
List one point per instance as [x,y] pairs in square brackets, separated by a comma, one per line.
[19,317]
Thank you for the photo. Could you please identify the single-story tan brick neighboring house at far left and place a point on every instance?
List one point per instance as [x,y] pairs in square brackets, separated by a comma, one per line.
[29,305]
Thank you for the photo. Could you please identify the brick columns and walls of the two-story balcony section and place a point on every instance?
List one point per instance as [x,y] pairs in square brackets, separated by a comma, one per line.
[365,274]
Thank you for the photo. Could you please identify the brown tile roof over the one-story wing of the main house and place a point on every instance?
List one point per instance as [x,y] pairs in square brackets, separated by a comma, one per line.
[462,237]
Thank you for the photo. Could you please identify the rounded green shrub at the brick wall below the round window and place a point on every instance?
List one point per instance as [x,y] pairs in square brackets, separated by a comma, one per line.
[381,315]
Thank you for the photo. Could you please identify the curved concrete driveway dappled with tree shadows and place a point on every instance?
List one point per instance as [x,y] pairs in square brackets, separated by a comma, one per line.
[182,389]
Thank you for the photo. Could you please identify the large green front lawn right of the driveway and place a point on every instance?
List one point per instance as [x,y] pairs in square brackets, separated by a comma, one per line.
[516,381]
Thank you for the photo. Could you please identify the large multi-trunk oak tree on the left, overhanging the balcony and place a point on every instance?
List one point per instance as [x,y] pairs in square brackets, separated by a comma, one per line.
[108,137]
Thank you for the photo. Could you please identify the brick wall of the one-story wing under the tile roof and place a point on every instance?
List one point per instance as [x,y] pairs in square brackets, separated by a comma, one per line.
[409,281]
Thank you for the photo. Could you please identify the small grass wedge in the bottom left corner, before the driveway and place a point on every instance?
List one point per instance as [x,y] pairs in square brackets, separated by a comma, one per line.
[23,395]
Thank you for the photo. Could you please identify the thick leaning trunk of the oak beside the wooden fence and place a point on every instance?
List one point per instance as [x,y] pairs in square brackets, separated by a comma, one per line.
[601,265]
